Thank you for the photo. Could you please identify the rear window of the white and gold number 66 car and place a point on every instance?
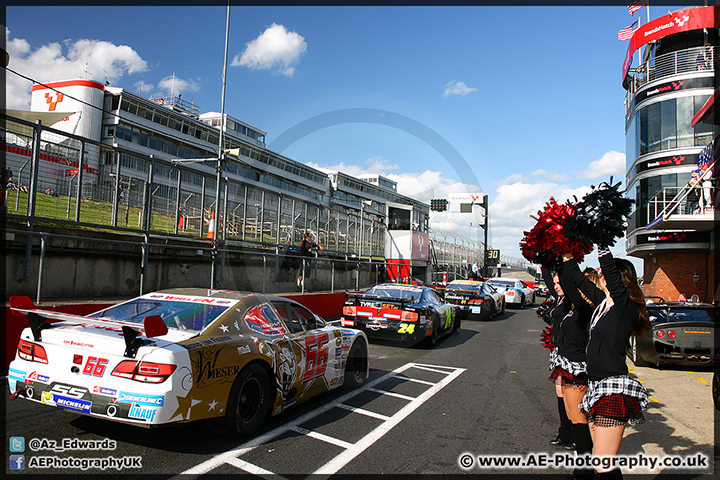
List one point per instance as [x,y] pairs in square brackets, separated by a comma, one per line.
[182,315]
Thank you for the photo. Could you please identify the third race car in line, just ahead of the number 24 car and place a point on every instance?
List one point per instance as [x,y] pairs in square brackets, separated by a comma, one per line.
[475,298]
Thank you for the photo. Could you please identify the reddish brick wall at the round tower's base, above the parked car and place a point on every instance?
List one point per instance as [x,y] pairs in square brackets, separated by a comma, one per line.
[670,274]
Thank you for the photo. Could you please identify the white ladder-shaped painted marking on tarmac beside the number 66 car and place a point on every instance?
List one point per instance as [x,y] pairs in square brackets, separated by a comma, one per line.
[351,450]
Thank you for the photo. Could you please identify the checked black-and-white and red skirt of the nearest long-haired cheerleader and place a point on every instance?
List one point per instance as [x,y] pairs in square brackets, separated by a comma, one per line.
[615,401]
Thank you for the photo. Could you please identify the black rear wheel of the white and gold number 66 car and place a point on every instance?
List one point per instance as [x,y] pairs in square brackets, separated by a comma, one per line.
[248,404]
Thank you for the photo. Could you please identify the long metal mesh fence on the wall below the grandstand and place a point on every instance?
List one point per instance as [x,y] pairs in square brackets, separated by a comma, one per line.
[83,182]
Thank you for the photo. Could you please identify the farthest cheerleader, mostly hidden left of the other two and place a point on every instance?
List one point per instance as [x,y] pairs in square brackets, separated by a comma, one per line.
[558,310]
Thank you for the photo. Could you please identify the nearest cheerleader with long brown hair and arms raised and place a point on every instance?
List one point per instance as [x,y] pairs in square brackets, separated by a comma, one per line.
[613,398]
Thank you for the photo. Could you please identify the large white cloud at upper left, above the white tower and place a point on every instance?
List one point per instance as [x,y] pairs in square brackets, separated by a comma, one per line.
[72,59]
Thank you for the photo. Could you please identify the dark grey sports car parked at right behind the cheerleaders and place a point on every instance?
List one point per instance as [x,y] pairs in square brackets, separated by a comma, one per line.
[682,334]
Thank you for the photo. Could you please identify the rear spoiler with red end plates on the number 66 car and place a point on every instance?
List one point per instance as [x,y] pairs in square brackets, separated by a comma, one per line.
[152,326]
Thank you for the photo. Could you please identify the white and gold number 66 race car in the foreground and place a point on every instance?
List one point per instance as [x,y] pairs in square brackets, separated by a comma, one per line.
[181,355]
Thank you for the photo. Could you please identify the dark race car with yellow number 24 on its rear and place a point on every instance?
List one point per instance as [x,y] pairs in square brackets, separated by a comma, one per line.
[401,312]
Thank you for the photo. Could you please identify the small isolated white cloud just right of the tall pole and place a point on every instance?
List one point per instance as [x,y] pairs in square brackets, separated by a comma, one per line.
[275,49]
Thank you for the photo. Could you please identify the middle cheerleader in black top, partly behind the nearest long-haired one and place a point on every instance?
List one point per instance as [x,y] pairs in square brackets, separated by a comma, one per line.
[571,369]
